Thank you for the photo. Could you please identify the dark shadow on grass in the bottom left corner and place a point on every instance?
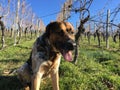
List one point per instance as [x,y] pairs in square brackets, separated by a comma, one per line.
[10,83]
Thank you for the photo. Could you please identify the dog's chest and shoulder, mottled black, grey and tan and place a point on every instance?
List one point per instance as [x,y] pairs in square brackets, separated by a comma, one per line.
[43,58]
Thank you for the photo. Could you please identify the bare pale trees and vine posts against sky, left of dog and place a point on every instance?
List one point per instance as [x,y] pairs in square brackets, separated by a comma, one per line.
[17,19]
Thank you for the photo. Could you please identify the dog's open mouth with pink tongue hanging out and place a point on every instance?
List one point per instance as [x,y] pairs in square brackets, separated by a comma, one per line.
[67,55]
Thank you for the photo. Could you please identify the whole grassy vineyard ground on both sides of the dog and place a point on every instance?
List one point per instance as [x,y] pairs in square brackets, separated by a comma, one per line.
[97,68]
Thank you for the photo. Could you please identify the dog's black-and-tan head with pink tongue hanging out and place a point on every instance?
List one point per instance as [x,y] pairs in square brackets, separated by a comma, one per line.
[62,37]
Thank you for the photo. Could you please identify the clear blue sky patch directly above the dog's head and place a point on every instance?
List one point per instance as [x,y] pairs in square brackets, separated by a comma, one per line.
[45,7]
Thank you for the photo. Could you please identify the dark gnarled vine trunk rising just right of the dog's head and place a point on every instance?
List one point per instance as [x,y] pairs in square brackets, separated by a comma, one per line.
[83,10]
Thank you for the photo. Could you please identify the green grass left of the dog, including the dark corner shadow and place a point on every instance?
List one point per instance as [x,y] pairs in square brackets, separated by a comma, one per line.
[11,58]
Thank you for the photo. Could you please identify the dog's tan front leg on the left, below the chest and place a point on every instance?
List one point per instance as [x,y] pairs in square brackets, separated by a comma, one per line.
[36,79]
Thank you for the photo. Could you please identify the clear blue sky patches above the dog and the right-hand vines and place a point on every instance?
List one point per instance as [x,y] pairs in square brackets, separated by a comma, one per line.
[44,9]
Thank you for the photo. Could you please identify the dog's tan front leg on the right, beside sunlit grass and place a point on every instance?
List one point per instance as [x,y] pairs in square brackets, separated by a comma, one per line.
[55,80]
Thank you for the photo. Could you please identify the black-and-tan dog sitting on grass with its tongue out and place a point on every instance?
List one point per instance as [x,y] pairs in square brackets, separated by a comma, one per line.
[58,40]
